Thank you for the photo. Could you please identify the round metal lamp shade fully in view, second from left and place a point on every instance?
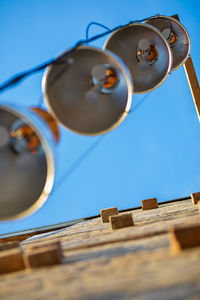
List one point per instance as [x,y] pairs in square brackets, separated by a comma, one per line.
[77,97]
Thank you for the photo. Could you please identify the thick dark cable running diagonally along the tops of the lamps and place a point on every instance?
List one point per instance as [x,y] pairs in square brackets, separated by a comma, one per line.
[20,76]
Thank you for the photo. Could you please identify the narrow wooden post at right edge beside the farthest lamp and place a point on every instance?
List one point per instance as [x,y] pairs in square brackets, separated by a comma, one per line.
[192,80]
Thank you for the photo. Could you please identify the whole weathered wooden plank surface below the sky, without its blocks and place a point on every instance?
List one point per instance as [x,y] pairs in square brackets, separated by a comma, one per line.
[130,263]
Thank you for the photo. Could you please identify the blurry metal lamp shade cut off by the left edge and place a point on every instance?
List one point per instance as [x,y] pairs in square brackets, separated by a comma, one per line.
[26,176]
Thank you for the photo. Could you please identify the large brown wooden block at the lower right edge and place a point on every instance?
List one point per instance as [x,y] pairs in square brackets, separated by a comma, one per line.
[184,237]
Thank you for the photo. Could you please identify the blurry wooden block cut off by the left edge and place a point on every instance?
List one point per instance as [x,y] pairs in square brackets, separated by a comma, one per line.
[11,261]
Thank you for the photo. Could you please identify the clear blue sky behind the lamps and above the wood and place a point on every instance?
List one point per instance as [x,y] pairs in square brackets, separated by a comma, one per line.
[154,152]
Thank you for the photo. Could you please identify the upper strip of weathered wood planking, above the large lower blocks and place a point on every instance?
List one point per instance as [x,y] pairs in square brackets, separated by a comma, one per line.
[147,223]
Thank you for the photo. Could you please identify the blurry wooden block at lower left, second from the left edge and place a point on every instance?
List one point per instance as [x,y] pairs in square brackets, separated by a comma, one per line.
[43,256]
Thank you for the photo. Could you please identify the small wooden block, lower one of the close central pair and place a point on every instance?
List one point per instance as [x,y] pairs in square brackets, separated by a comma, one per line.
[121,221]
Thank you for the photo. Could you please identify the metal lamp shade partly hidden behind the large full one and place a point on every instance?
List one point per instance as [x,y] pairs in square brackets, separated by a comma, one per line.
[125,42]
